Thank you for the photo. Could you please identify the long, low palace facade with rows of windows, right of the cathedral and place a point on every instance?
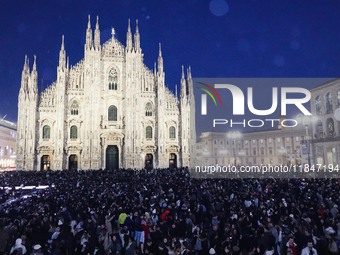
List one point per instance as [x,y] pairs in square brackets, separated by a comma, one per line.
[269,147]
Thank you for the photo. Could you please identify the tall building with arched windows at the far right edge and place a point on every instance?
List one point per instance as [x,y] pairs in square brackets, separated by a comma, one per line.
[325,142]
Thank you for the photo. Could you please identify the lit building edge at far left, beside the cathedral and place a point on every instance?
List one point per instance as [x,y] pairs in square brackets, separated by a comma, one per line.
[7,144]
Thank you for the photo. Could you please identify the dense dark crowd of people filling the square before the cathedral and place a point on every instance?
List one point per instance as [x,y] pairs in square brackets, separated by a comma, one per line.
[164,211]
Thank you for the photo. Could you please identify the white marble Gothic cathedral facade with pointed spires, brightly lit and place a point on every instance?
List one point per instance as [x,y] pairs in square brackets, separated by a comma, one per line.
[108,111]
